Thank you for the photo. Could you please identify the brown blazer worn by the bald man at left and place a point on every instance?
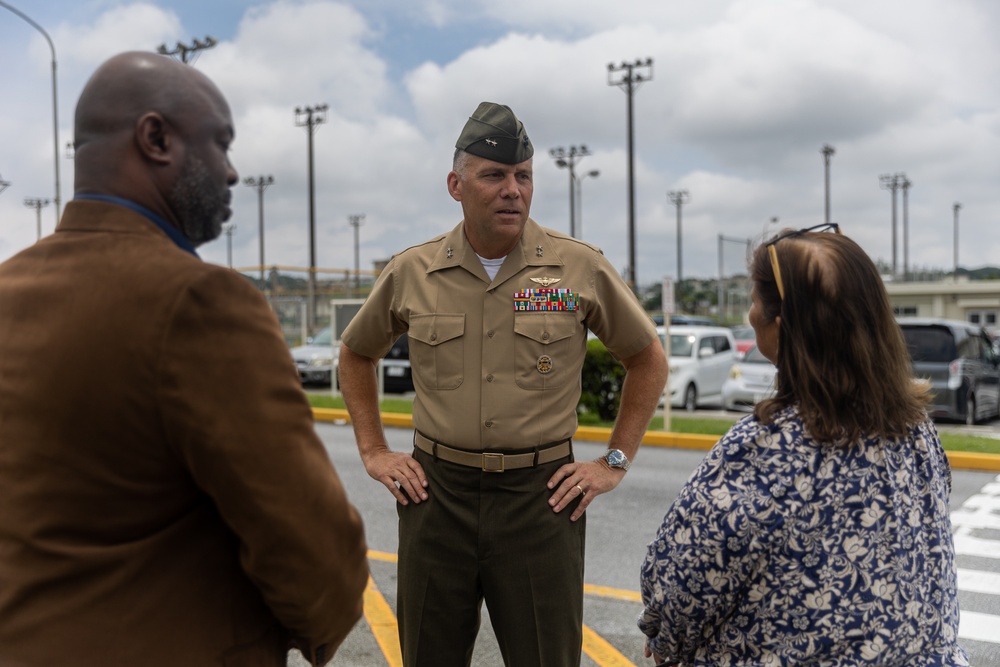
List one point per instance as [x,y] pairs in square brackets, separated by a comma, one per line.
[164,499]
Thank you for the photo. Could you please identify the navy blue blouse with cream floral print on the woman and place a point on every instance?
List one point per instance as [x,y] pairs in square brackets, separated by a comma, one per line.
[780,551]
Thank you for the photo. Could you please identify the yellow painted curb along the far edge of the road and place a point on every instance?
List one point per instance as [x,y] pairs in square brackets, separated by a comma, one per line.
[958,460]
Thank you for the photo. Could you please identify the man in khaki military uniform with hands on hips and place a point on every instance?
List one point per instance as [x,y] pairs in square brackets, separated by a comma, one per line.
[497,312]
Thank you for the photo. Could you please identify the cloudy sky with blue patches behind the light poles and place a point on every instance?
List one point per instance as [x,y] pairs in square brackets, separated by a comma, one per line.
[743,96]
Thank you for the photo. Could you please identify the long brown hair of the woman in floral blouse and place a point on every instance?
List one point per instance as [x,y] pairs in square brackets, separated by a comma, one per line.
[841,356]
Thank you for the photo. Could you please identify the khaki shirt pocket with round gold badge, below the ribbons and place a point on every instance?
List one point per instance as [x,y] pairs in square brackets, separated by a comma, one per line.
[548,349]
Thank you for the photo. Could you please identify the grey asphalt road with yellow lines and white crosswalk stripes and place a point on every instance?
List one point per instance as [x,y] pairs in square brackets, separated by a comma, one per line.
[620,524]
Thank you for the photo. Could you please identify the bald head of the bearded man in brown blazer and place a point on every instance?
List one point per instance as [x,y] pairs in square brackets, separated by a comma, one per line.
[156,132]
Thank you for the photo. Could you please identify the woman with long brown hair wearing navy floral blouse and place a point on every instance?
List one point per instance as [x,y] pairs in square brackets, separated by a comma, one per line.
[816,532]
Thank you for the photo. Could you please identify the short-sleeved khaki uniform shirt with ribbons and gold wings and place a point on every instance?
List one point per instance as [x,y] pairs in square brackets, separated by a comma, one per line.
[489,374]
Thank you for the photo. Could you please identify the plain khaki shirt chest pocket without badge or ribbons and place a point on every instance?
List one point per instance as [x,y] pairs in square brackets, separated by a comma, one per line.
[437,349]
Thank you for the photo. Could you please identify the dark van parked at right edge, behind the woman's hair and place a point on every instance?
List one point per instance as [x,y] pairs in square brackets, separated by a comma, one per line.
[961,365]
